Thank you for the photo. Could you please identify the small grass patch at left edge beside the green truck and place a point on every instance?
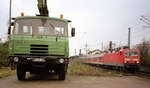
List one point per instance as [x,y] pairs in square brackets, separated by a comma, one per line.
[6,71]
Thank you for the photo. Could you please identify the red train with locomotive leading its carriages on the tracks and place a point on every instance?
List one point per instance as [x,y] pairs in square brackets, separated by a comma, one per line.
[123,59]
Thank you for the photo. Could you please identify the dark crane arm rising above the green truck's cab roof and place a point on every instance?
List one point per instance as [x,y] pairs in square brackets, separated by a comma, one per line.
[42,6]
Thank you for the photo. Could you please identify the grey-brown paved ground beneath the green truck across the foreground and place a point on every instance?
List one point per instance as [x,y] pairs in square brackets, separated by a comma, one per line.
[47,81]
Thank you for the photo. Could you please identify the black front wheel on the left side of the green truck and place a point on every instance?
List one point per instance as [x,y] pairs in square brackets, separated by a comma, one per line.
[20,72]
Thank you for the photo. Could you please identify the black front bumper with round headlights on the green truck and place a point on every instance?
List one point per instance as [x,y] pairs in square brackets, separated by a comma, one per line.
[38,61]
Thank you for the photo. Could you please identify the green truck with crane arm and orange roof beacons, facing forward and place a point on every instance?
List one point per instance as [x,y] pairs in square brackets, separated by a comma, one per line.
[39,44]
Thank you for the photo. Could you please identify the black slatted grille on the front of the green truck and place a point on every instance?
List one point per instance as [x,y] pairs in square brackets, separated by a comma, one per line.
[38,49]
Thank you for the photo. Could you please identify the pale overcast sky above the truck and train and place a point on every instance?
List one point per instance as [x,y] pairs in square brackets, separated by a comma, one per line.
[96,21]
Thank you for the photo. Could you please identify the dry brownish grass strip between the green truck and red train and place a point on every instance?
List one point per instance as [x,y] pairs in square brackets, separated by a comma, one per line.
[81,69]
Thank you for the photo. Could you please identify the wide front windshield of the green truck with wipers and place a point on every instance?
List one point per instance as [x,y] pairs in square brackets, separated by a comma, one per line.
[40,27]
